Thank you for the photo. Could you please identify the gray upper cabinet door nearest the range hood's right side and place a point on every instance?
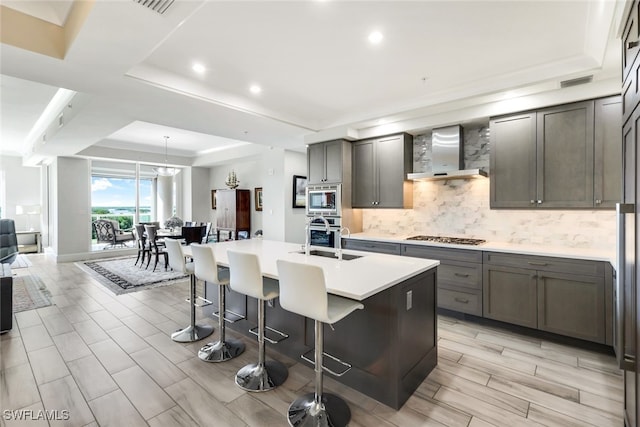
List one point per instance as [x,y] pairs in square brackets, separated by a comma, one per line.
[513,142]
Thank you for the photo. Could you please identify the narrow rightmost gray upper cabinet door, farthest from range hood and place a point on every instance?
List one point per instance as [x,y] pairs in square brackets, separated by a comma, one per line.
[607,186]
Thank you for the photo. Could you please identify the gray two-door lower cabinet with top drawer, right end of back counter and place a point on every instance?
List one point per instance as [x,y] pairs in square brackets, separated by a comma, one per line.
[563,296]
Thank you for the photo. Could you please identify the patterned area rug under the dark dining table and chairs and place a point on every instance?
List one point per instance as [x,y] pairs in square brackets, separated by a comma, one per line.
[120,276]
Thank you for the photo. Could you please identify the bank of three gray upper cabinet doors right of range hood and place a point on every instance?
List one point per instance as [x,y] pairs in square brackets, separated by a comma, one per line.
[545,158]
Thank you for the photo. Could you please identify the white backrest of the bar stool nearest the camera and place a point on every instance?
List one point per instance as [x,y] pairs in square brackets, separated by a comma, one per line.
[303,290]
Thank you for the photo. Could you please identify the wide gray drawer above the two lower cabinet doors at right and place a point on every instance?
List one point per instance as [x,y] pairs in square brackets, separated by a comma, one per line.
[560,265]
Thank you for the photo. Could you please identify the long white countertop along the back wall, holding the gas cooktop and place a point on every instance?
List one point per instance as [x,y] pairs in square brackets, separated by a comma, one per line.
[604,254]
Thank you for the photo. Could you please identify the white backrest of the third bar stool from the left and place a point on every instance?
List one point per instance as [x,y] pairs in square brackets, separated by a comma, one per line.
[245,275]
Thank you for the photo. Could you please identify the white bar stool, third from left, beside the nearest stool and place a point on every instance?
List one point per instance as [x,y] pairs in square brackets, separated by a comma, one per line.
[246,278]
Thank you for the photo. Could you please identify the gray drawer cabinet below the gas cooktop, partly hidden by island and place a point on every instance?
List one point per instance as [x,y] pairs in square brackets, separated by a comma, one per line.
[459,276]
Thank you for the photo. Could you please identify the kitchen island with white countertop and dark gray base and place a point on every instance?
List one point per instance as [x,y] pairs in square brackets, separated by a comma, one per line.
[391,343]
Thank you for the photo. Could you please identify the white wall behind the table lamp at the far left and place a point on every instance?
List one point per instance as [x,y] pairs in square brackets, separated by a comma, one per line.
[20,185]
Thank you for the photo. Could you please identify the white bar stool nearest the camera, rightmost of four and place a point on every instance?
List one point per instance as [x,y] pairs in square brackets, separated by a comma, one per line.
[303,291]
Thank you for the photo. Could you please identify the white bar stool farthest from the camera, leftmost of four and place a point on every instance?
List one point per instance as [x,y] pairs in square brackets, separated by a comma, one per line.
[192,332]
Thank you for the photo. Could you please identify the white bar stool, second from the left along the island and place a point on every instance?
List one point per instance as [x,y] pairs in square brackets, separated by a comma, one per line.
[206,269]
